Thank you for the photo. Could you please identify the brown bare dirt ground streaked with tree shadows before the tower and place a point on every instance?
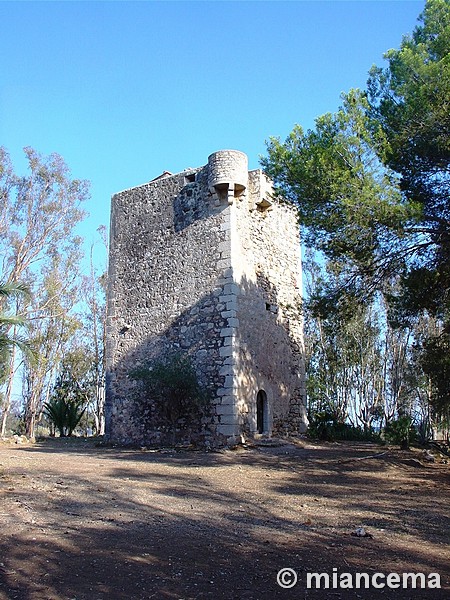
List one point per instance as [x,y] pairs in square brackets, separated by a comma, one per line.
[86,522]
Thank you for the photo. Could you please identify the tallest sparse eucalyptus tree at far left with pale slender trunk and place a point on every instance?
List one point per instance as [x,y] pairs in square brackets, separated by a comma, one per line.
[39,212]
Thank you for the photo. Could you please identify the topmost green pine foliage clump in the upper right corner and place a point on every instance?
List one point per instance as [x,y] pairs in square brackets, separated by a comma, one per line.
[410,99]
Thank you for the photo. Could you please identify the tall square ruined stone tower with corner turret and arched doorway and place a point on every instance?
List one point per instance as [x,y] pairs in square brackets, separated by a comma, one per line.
[207,262]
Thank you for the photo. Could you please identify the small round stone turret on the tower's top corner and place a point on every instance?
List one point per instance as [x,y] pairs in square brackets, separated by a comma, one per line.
[228,169]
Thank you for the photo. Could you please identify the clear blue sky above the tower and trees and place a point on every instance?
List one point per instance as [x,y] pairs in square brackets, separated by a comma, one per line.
[126,90]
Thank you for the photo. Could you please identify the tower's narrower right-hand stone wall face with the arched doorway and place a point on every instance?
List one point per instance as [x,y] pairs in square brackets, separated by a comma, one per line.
[268,349]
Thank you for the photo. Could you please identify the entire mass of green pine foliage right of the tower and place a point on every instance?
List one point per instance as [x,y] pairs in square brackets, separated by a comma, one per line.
[372,187]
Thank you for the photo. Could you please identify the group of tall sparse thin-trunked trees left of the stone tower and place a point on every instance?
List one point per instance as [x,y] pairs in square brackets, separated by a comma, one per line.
[42,253]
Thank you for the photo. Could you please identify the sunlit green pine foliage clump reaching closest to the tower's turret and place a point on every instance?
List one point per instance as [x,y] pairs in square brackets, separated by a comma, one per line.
[348,201]
